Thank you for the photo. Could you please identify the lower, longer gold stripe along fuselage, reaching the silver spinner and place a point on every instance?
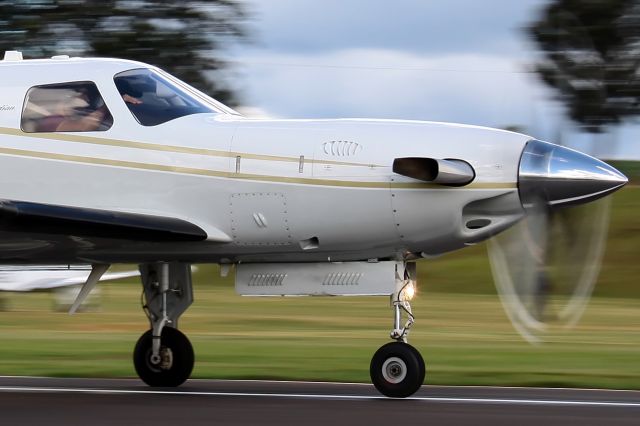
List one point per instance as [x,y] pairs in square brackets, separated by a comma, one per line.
[243,176]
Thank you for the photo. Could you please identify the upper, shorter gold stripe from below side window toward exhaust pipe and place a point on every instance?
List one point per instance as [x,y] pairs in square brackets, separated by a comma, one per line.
[65,137]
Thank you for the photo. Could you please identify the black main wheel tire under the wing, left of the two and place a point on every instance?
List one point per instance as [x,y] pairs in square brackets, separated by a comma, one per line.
[176,370]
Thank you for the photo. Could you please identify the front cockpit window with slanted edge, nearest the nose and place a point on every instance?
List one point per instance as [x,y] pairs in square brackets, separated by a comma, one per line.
[154,99]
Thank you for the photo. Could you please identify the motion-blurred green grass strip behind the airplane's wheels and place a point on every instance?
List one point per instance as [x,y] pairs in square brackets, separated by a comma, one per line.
[461,328]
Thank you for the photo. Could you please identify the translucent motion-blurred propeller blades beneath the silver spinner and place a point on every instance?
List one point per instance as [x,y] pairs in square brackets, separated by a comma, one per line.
[545,267]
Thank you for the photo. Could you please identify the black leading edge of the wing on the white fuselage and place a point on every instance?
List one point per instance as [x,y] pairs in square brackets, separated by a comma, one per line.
[21,216]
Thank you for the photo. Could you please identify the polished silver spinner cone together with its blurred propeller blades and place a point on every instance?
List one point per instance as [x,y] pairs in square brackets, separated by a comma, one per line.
[546,266]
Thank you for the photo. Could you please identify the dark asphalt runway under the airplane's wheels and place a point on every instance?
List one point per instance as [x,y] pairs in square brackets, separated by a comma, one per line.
[51,401]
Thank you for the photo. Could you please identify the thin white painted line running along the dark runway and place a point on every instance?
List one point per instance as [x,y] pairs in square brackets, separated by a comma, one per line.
[514,401]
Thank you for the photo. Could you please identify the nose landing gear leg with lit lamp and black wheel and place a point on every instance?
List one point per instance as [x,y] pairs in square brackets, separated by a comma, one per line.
[397,369]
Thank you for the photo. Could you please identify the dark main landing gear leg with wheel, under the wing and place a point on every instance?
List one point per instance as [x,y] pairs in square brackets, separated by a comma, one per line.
[163,355]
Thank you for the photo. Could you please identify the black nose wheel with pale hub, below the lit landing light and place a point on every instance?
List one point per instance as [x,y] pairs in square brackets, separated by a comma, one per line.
[397,370]
